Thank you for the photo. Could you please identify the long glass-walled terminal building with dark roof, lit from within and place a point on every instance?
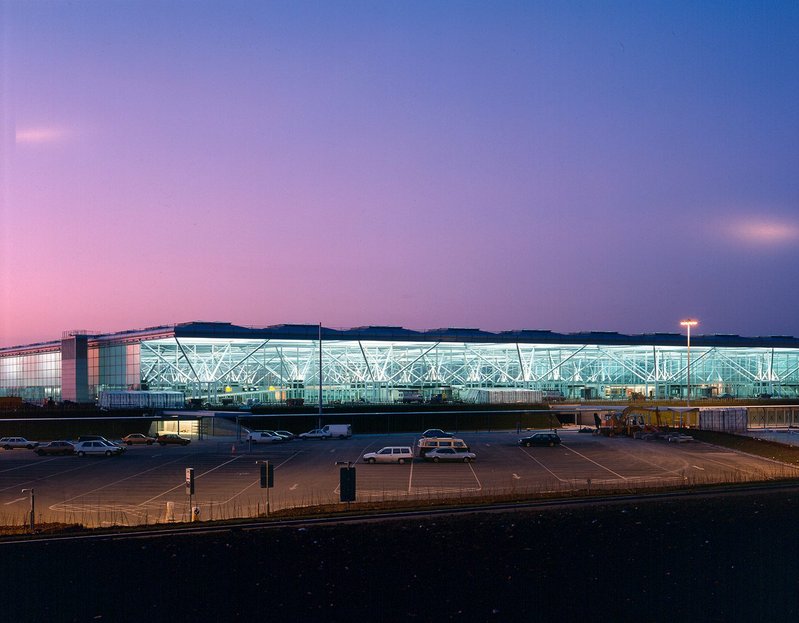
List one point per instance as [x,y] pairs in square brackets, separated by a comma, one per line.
[224,363]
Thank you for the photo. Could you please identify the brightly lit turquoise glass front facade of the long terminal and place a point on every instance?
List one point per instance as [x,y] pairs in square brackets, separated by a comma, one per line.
[380,372]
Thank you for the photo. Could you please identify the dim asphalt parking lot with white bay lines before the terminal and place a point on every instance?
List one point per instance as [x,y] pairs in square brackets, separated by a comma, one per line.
[135,488]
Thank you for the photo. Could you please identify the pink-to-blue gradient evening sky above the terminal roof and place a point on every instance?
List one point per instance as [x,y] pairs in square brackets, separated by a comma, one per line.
[596,165]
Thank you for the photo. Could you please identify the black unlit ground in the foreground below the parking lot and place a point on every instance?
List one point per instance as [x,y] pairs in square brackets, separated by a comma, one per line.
[733,558]
